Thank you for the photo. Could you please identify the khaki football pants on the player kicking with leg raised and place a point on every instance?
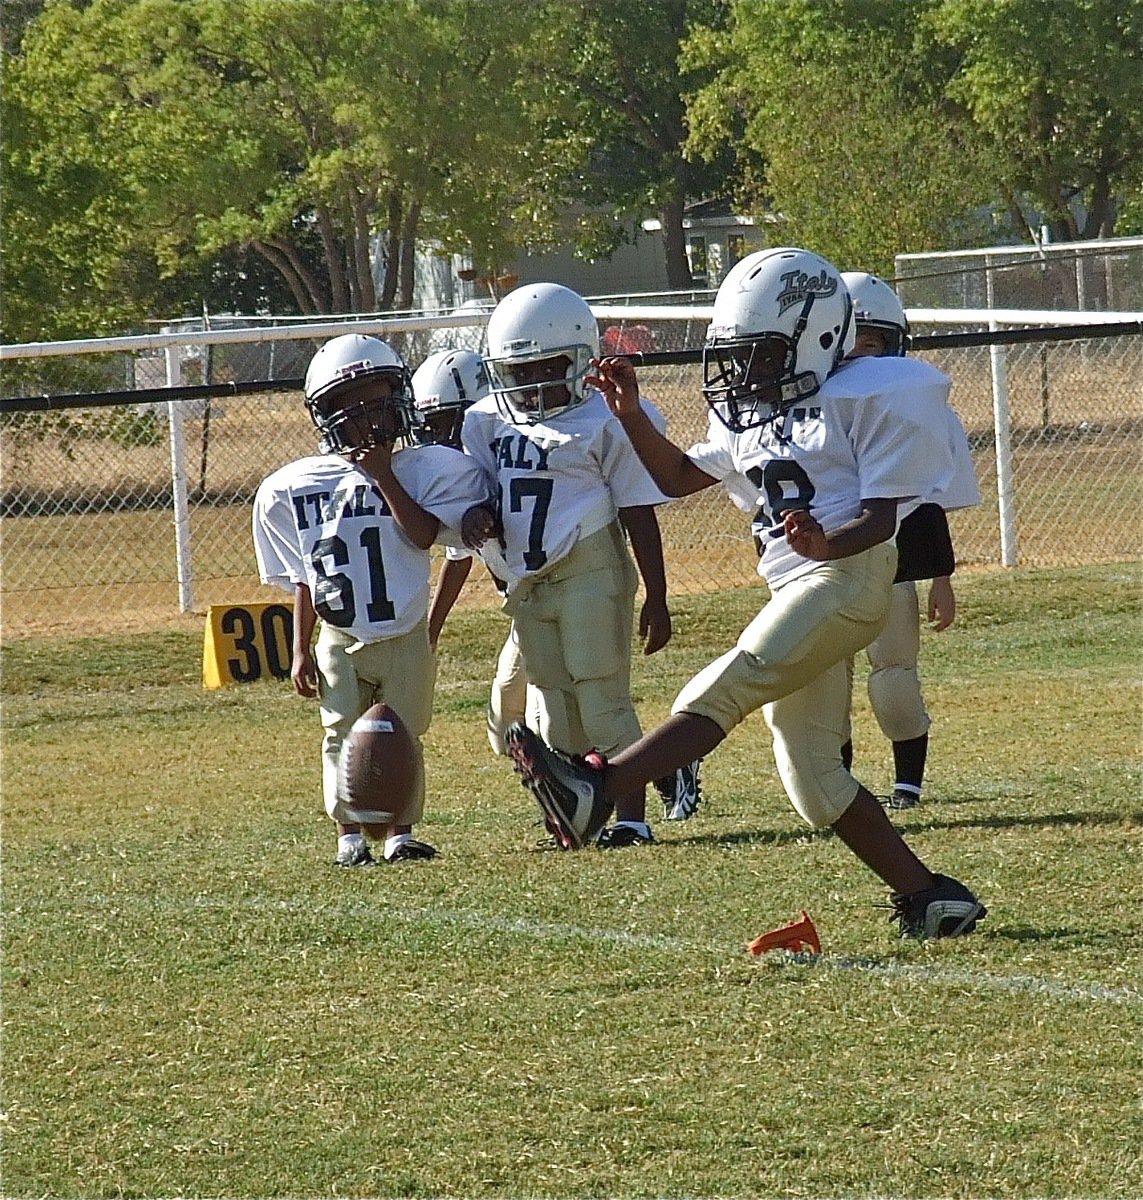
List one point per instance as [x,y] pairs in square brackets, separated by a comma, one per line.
[793,663]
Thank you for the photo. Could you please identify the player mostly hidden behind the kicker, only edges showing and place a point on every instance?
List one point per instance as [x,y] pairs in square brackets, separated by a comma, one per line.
[924,553]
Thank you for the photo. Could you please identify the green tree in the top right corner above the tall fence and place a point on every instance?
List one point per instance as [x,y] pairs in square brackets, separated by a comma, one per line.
[1058,92]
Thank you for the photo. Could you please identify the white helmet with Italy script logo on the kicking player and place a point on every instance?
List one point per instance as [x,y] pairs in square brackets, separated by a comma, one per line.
[782,325]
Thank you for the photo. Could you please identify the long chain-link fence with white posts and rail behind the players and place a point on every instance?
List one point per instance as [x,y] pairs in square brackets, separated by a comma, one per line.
[105,527]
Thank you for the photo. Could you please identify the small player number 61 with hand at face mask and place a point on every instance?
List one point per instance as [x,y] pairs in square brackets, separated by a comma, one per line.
[349,532]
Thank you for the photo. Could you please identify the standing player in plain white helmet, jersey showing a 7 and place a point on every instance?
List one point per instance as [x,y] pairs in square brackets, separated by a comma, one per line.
[568,485]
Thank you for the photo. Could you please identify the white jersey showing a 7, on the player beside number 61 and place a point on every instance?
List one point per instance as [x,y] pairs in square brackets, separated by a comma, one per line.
[555,483]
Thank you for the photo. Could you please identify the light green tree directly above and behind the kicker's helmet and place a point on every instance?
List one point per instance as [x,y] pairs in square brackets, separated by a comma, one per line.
[861,155]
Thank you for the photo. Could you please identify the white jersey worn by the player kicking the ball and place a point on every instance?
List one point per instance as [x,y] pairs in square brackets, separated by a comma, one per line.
[877,430]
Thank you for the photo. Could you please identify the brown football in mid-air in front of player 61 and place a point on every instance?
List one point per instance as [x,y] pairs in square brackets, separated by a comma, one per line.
[378,767]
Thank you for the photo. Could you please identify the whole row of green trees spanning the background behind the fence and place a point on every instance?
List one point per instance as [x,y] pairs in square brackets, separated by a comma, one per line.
[270,154]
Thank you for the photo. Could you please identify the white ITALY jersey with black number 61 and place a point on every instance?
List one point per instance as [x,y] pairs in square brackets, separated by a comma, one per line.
[322,521]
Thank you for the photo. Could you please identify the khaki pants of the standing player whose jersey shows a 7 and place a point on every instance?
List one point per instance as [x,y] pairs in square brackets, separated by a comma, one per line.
[575,626]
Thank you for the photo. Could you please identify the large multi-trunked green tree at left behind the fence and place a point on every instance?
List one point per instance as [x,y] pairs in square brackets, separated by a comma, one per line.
[161,141]
